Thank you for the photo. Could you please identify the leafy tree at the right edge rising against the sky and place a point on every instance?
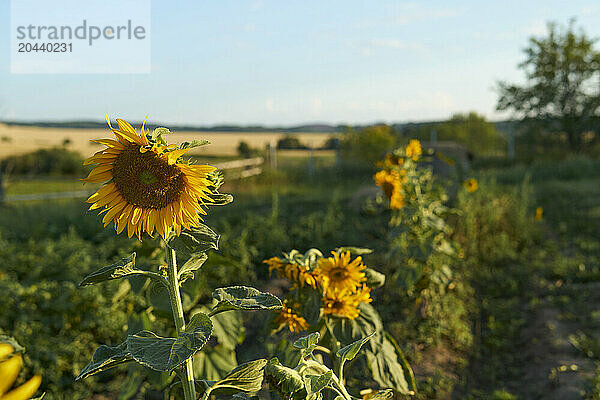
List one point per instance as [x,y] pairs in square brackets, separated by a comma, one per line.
[562,92]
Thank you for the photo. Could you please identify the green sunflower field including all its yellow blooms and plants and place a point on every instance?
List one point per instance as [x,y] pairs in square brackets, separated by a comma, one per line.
[359,281]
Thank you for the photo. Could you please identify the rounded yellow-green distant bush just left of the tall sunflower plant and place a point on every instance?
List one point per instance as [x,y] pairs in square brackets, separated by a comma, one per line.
[367,144]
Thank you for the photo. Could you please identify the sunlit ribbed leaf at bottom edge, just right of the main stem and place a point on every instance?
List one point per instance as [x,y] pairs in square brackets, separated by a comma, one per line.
[246,377]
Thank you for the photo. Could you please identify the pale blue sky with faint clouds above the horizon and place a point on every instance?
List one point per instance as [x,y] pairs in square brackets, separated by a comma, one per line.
[283,63]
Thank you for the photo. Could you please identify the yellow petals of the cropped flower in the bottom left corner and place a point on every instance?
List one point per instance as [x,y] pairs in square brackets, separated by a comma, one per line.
[9,370]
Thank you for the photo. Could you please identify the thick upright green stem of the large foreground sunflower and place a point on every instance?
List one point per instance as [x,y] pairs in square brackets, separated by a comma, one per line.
[187,377]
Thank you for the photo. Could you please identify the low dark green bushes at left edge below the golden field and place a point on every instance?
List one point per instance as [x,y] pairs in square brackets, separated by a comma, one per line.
[55,161]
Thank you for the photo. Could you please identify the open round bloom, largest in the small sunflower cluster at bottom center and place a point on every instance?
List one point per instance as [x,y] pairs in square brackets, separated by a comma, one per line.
[339,273]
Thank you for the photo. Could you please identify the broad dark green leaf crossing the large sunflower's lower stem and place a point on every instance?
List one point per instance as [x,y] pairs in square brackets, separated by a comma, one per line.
[164,354]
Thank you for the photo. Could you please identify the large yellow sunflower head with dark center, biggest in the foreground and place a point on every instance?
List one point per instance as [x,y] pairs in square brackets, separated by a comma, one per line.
[147,185]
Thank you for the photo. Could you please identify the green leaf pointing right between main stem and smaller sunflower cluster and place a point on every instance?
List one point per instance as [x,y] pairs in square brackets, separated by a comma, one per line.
[243,298]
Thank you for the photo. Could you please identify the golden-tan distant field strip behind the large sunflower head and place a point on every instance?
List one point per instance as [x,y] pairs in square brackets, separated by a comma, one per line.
[22,139]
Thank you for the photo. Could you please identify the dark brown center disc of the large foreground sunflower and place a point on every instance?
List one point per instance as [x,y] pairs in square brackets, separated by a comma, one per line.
[145,179]
